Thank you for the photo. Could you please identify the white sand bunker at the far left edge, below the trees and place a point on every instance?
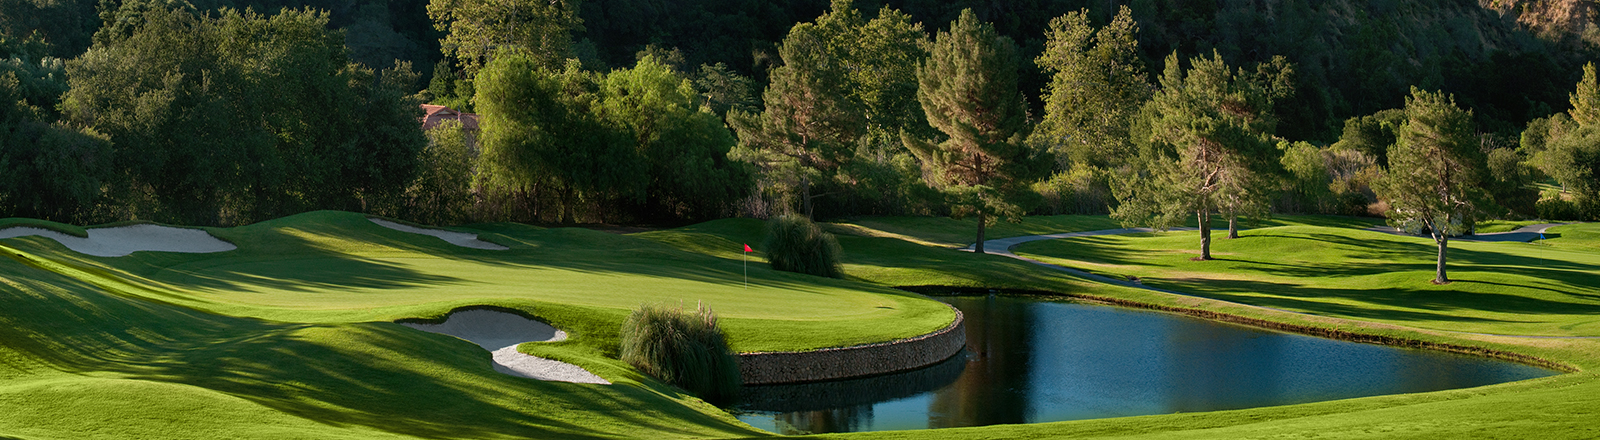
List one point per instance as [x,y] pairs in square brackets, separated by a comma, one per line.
[130,239]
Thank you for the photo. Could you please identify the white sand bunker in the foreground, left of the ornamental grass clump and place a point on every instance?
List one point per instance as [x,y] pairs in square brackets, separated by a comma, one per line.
[502,334]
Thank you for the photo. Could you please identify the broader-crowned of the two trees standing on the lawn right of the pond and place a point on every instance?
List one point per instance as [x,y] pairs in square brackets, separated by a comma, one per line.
[1209,148]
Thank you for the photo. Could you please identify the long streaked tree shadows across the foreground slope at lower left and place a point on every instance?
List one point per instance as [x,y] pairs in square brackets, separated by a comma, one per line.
[374,375]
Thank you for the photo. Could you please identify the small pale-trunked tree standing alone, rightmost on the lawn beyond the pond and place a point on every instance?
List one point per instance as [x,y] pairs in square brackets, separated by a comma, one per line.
[1434,172]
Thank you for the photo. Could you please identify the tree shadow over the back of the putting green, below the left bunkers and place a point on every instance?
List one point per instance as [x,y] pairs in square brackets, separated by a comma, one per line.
[295,255]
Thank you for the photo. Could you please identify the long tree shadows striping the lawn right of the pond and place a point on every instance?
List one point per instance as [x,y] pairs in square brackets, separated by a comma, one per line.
[1548,286]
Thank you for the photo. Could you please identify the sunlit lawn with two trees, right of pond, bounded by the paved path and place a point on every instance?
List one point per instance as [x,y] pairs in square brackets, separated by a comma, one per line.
[1506,289]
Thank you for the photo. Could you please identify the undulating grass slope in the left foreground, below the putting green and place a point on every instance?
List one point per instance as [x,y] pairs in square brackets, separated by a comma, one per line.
[84,359]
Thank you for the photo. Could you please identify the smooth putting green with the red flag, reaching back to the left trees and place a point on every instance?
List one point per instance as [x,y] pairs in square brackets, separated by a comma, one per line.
[342,268]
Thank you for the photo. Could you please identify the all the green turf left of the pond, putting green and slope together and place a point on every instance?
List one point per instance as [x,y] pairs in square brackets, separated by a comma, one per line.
[289,337]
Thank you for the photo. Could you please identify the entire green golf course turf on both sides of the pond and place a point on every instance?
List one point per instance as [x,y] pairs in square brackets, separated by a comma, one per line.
[292,335]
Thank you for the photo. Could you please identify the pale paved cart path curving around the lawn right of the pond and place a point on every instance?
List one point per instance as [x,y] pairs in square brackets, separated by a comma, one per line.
[1002,247]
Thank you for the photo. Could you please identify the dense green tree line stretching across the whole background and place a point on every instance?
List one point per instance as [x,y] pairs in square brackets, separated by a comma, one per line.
[206,114]
